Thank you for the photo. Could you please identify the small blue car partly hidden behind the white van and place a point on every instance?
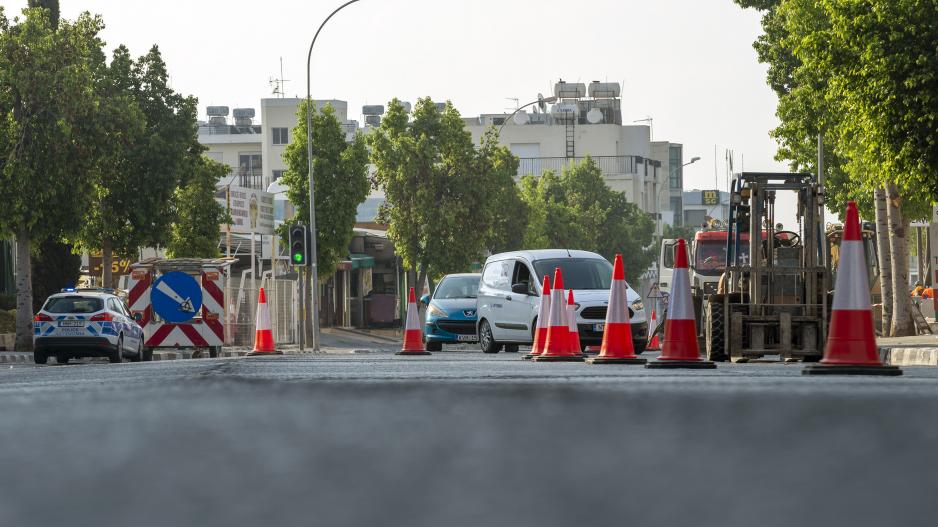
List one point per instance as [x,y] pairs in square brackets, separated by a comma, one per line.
[451,311]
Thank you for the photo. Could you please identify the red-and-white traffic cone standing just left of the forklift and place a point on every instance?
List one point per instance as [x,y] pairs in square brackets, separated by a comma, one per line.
[680,348]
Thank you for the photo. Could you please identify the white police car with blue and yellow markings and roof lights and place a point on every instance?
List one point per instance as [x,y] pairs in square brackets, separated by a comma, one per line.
[87,323]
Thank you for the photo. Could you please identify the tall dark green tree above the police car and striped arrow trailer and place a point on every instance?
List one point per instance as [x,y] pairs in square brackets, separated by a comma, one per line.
[151,146]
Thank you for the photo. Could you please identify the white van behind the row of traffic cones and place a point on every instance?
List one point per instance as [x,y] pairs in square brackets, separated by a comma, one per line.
[509,295]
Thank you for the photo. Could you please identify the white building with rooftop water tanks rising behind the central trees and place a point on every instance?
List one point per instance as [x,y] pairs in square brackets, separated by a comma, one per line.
[587,120]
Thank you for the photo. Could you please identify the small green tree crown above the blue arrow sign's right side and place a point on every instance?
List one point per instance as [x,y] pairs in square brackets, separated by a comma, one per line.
[195,231]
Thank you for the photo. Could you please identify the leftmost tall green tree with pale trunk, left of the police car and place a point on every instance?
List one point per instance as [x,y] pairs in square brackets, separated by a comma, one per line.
[47,135]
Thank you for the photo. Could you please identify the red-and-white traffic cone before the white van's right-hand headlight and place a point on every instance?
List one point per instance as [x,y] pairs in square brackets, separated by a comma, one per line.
[617,345]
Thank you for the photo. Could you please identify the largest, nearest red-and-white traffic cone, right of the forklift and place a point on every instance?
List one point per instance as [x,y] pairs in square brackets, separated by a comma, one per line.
[851,344]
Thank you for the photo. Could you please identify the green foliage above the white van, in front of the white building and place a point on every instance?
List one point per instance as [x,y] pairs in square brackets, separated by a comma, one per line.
[578,211]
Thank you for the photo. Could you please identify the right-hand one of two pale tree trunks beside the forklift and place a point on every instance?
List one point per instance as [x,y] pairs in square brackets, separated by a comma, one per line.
[899,247]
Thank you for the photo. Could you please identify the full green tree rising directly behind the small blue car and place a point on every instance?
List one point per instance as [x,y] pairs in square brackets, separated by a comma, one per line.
[437,188]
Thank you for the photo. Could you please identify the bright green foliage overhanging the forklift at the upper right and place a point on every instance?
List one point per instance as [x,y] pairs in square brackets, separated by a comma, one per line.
[865,73]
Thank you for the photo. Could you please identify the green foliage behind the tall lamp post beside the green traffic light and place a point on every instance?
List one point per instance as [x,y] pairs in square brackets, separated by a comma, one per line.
[340,174]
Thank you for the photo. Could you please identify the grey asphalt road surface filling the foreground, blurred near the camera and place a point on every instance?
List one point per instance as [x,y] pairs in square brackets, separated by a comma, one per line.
[462,439]
